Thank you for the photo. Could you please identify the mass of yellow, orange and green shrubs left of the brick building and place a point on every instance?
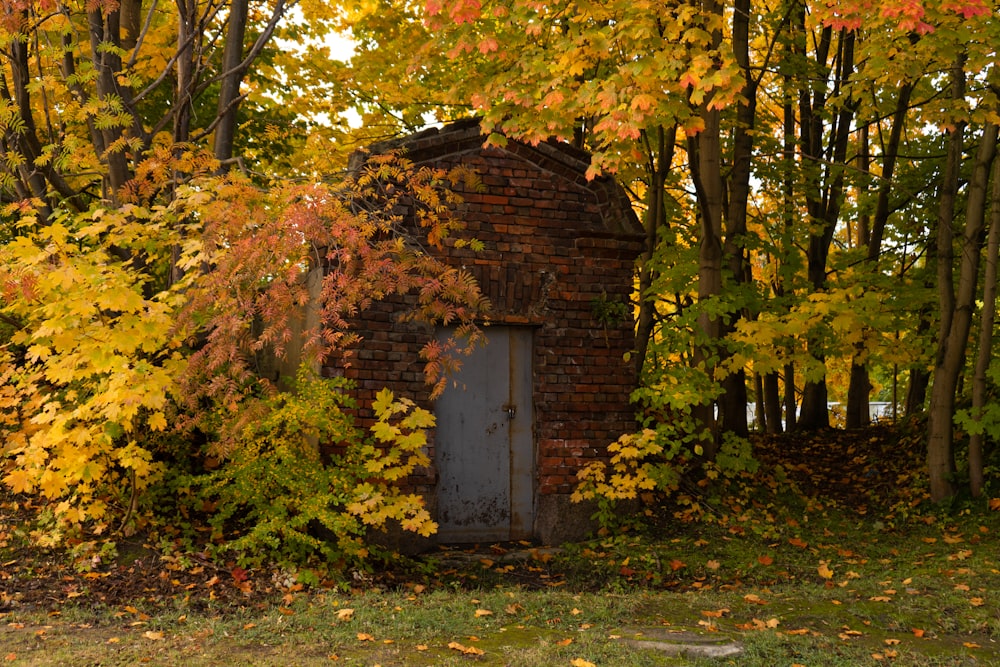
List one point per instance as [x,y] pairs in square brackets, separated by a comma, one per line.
[138,332]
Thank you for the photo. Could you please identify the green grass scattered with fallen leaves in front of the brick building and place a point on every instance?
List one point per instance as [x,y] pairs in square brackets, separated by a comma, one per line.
[836,589]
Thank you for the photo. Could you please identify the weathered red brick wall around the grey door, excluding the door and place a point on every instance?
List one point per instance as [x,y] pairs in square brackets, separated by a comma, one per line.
[554,242]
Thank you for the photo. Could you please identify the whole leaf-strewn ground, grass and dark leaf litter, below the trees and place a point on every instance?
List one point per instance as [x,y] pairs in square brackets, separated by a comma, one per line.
[828,555]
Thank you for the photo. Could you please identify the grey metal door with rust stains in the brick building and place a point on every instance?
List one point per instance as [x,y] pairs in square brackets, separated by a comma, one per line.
[484,447]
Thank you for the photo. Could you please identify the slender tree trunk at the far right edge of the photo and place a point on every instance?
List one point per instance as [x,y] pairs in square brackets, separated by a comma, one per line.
[984,354]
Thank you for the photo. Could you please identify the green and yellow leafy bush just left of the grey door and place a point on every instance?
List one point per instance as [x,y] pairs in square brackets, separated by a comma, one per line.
[279,498]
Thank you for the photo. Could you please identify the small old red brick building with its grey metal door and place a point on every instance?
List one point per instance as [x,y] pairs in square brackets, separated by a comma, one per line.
[550,390]
